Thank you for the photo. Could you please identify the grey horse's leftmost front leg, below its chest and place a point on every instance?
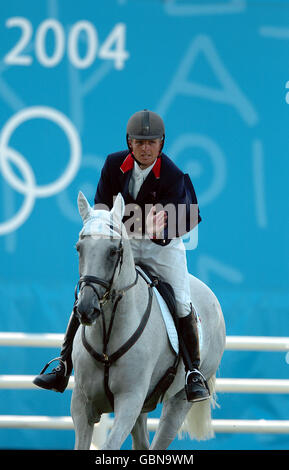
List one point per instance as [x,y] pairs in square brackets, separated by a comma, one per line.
[83,428]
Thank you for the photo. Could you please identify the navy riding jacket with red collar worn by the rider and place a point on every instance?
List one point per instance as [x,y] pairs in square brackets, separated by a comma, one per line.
[165,184]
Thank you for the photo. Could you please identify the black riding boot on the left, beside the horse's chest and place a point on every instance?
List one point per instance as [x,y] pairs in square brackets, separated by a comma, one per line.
[58,378]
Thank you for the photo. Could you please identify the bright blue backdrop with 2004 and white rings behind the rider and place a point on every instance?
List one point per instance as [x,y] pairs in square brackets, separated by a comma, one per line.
[71,74]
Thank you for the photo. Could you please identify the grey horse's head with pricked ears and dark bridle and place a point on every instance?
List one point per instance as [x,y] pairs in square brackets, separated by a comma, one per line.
[100,255]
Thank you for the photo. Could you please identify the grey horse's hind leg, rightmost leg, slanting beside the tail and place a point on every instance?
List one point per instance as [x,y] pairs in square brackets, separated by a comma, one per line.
[173,415]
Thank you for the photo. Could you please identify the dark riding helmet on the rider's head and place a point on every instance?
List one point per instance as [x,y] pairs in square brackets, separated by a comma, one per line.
[145,125]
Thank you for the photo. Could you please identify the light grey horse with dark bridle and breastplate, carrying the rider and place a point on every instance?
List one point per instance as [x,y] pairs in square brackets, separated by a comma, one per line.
[124,351]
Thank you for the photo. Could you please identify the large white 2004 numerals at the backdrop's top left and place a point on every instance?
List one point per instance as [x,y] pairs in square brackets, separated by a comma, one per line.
[113,47]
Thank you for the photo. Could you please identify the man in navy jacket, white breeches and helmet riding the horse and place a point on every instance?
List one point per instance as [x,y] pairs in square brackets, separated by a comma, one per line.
[144,175]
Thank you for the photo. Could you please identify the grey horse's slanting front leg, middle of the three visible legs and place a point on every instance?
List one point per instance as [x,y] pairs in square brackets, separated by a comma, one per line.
[127,407]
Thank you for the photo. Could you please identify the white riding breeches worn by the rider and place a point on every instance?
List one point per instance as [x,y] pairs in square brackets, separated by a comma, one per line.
[169,263]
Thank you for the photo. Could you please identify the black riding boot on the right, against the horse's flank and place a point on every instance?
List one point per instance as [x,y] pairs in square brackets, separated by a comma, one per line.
[196,386]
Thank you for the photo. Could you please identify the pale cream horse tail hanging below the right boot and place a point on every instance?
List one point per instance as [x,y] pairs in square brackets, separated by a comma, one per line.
[198,422]
